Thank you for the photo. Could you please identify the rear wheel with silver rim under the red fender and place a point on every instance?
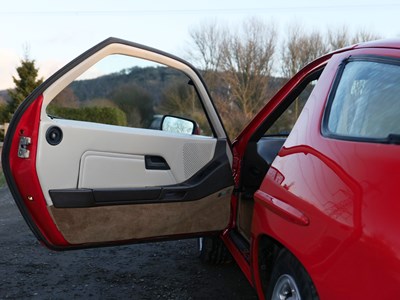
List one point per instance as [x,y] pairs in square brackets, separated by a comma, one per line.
[289,280]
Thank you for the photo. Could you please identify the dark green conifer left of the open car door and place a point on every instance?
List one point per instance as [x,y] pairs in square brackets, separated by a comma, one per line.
[27,82]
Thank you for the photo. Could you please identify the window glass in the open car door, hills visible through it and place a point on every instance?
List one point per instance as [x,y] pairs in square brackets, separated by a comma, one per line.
[128,91]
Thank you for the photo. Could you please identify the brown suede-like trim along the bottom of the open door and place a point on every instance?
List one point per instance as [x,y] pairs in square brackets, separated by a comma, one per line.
[126,222]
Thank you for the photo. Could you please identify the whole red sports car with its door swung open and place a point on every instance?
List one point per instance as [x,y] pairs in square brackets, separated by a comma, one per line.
[306,202]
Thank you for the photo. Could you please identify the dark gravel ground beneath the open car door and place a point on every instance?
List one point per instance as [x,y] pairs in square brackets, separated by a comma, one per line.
[166,270]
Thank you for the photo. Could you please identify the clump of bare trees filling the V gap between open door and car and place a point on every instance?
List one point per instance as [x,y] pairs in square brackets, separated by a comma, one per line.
[237,67]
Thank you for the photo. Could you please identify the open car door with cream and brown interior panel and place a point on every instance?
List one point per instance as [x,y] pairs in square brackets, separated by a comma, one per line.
[79,182]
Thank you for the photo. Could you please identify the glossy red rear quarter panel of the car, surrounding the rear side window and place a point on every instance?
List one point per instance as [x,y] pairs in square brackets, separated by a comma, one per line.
[345,190]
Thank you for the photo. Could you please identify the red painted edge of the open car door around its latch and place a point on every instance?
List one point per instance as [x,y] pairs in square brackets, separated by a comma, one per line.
[25,176]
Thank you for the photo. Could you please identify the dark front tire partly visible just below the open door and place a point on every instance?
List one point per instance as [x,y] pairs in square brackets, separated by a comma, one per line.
[212,250]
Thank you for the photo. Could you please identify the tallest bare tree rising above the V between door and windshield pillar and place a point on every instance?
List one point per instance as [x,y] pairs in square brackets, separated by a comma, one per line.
[247,60]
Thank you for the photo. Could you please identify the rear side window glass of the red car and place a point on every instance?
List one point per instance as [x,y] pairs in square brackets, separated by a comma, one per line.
[366,102]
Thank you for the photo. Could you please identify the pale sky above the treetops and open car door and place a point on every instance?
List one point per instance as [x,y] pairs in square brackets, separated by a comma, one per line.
[55,32]
